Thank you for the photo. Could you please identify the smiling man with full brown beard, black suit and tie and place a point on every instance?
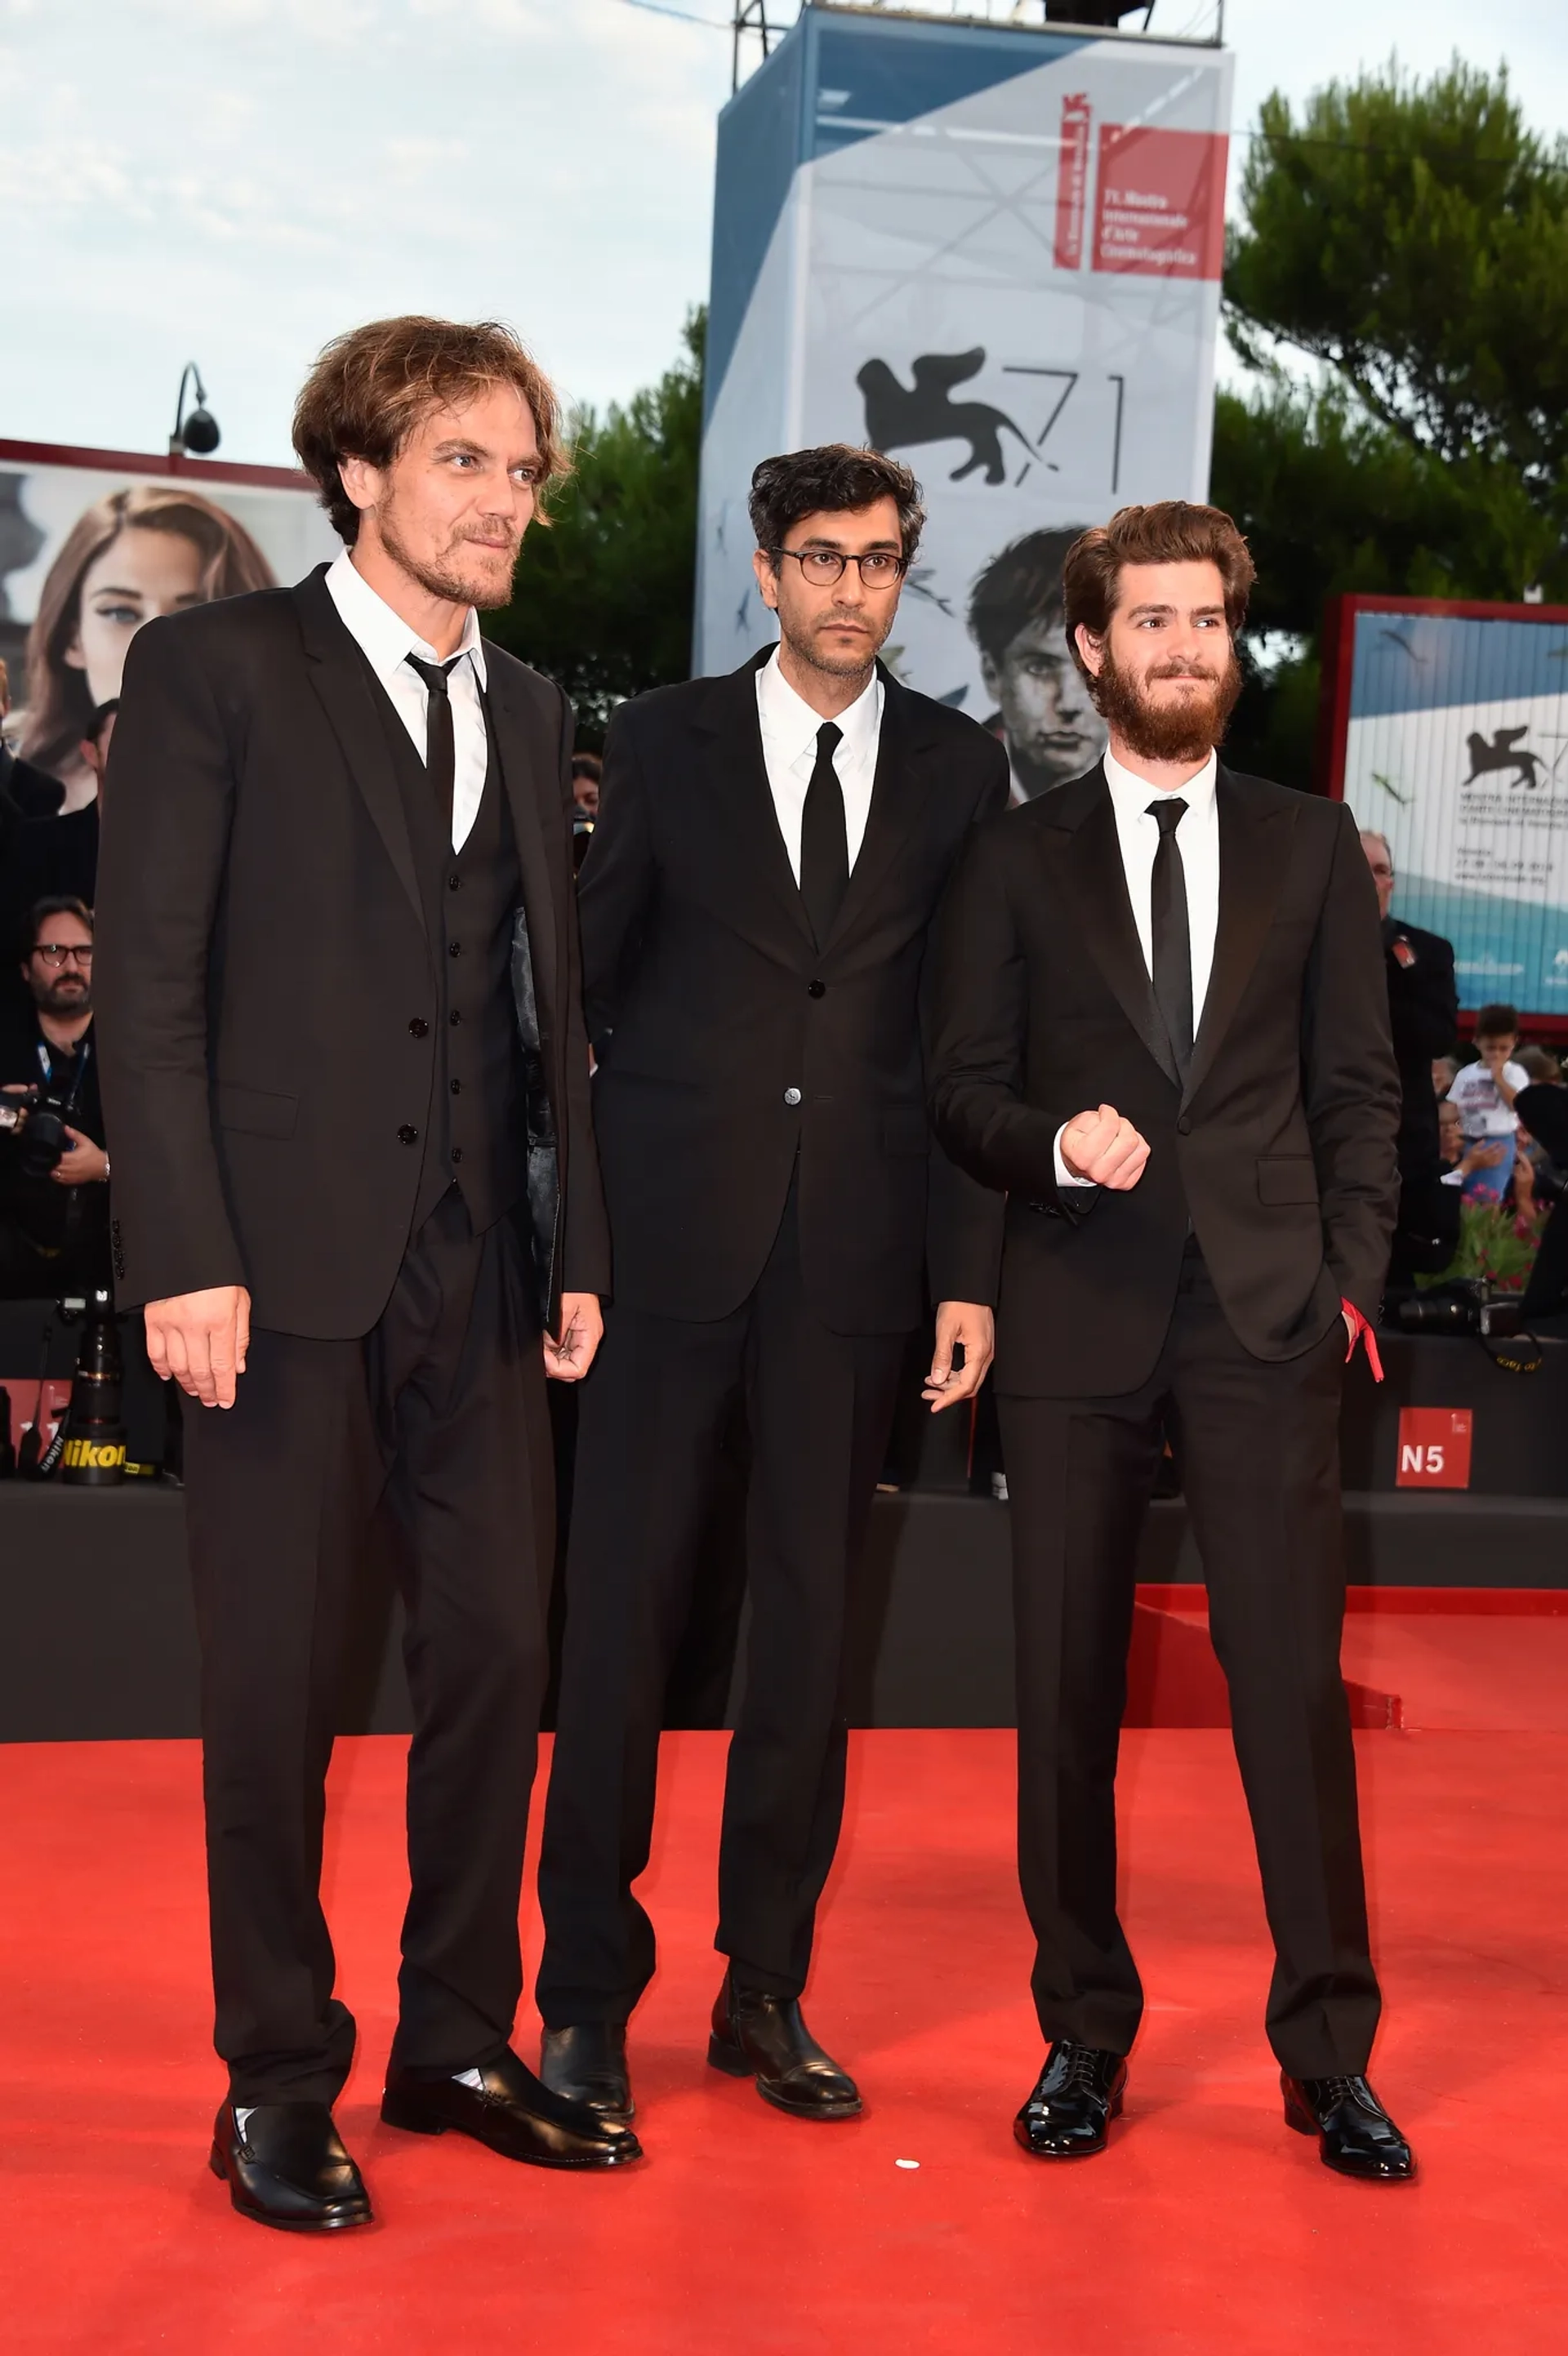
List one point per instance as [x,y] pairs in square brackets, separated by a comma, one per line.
[1164,1031]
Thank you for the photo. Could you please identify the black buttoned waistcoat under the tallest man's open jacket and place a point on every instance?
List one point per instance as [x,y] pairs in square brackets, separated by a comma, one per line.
[477,1132]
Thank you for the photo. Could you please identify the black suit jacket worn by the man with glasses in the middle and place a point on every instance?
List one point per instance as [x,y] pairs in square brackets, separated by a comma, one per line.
[710,1002]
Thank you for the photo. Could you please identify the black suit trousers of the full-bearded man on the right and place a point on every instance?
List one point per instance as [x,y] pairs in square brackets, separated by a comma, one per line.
[1258,1450]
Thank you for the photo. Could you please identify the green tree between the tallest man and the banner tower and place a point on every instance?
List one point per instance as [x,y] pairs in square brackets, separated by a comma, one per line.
[604,597]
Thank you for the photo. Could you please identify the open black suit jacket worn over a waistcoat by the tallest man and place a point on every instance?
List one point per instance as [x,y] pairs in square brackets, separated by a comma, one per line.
[265,979]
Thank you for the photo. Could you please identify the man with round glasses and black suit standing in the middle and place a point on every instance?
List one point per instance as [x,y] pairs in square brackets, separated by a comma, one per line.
[769,856]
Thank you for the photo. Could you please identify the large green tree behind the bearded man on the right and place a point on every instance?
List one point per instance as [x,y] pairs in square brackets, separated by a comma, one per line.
[1411,241]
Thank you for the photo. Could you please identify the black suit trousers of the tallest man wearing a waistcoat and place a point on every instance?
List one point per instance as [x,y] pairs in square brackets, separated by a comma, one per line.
[439,1412]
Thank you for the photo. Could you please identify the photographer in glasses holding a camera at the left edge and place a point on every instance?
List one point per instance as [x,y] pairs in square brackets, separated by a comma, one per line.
[53,1167]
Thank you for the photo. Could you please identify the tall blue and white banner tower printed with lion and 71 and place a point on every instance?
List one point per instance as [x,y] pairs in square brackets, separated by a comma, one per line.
[992,253]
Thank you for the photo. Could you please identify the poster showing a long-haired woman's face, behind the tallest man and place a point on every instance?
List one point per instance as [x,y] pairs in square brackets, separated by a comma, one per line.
[91,555]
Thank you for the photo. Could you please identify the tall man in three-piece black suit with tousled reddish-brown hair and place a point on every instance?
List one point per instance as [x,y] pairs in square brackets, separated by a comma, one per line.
[347,1085]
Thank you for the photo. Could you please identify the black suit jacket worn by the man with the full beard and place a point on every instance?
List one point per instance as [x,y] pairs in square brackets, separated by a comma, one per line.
[1282,1141]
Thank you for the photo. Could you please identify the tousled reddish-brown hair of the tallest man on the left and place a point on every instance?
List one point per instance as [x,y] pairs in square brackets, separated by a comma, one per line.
[373,388]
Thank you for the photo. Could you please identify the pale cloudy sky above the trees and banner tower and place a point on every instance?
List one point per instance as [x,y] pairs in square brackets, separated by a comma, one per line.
[239,180]
